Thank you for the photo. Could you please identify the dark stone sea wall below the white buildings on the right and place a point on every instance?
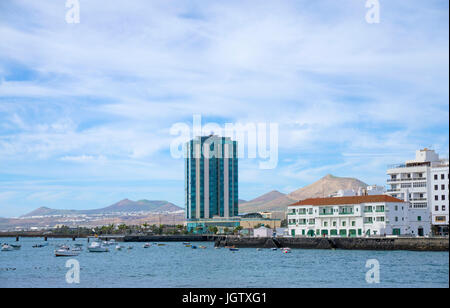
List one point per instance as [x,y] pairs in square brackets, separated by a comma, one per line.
[417,244]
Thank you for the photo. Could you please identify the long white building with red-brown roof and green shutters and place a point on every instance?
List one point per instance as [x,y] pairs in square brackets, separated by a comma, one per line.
[353,216]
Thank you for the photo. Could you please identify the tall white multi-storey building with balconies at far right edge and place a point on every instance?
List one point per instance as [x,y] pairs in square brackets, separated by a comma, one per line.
[424,183]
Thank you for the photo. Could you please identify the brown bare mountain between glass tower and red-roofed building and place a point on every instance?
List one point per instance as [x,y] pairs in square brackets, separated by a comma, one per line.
[276,201]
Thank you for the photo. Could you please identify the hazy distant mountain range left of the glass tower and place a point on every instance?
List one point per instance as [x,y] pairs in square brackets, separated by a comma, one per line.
[124,206]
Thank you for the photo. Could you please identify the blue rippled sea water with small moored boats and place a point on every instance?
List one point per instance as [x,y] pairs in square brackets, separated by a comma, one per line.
[174,265]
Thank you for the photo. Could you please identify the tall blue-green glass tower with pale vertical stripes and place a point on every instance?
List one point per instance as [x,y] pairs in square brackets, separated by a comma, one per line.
[211,178]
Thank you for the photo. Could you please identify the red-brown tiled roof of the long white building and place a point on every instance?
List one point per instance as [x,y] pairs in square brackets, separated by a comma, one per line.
[347,200]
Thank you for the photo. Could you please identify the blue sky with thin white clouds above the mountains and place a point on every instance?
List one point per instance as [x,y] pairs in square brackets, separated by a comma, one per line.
[86,108]
